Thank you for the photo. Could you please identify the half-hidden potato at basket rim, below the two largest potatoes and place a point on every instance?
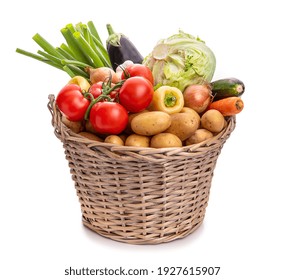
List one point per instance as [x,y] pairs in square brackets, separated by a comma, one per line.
[165,140]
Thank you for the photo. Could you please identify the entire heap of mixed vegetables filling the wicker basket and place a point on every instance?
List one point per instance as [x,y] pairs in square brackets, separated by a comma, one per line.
[115,95]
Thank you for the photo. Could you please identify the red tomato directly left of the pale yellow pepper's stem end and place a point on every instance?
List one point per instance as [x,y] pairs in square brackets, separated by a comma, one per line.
[136,94]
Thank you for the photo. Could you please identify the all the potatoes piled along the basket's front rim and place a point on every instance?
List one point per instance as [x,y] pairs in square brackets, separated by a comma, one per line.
[158,129]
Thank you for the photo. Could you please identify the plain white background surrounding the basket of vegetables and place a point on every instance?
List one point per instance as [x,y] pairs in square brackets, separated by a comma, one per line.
[243,232]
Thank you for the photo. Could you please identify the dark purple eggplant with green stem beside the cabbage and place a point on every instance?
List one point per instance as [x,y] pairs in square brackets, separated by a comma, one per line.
[120,49]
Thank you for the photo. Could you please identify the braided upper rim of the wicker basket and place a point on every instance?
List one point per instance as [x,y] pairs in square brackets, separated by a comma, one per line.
[72,136]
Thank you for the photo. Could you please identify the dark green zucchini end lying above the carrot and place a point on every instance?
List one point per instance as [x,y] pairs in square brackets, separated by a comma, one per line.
[227,88]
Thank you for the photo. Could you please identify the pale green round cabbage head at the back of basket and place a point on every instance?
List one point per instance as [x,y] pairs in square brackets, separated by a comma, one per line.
[181,60]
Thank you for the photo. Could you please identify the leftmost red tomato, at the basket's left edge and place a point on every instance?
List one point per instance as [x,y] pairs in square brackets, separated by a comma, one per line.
[72,103]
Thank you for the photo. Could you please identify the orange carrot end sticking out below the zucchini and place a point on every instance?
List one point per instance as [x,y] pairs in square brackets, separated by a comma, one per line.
[228,106]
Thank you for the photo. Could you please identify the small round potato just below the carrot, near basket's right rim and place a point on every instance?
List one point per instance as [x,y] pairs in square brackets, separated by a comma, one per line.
[213,121]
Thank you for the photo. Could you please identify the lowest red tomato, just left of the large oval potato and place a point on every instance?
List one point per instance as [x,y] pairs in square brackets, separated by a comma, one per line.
[108,117]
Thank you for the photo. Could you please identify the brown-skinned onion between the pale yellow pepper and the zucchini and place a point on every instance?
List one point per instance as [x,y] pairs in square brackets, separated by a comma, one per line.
[197,97]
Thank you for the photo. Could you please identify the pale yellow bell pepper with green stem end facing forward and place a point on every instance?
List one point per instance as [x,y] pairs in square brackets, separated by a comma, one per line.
[167,99]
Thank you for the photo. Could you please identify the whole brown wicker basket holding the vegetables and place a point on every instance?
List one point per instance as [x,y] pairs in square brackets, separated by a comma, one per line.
[140,195]
